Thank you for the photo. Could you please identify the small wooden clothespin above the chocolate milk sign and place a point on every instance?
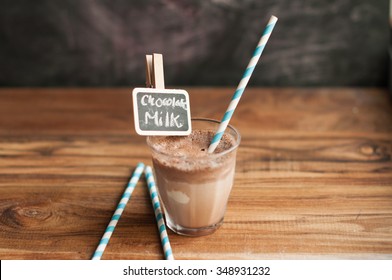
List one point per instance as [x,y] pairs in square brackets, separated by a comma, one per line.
[154,71]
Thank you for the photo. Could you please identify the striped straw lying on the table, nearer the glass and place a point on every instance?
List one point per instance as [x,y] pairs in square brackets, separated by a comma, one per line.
[158,214]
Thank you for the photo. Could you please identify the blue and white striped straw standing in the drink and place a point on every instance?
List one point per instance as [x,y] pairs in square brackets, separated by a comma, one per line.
[242,85]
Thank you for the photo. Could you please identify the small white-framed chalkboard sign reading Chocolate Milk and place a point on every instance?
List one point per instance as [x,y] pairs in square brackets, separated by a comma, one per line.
[161,111]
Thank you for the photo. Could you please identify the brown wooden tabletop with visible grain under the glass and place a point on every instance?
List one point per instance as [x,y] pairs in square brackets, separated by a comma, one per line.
[313,177]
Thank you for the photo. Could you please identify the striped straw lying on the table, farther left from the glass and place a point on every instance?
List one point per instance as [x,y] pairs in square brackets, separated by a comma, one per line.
[117,214]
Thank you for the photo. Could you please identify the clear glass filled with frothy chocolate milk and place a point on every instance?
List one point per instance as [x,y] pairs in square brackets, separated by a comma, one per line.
[194,186]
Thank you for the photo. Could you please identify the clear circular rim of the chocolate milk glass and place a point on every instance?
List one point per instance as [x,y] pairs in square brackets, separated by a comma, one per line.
[213,155]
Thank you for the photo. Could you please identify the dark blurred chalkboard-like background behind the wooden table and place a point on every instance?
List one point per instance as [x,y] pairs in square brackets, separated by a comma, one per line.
[103,43]
